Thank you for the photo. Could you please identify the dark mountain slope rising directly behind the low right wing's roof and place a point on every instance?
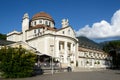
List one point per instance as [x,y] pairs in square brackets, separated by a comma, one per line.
[87,43]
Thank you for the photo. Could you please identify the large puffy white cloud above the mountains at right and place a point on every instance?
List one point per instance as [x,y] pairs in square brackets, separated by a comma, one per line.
[102,29]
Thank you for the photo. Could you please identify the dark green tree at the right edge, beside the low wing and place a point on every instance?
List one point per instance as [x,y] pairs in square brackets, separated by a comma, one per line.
[113,48]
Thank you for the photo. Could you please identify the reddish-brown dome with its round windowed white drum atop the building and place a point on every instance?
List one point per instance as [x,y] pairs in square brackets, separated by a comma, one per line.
[42,18]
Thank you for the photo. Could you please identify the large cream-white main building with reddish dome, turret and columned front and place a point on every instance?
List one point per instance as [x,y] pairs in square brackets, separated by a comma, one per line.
[40,33]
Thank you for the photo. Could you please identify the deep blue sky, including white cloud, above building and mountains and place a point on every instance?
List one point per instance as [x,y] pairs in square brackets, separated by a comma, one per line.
[82,14]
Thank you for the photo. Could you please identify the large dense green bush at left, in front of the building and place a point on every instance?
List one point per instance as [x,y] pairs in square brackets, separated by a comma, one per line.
[16,62]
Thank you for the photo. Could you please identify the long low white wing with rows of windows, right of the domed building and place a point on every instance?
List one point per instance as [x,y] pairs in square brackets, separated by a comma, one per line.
[89,58]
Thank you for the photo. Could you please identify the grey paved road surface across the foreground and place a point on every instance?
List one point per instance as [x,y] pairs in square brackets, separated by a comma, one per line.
[91,75]
